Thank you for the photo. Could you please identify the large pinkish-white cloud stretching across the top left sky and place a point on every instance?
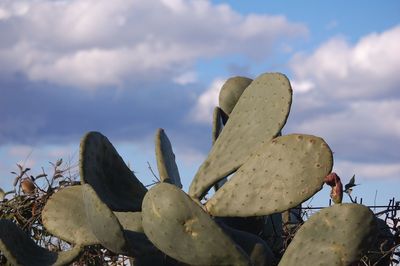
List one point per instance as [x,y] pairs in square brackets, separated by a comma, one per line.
[90,43]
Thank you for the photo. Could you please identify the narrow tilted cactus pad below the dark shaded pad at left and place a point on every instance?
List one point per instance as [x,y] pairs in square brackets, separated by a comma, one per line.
[104,223]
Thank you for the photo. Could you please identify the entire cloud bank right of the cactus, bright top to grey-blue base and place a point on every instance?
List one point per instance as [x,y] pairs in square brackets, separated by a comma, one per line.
[349,94]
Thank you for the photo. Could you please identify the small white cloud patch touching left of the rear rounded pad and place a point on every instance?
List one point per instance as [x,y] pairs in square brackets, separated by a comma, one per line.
[203,110]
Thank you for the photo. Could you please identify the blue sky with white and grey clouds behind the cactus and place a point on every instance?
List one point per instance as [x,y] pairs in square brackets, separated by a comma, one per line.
[125,68]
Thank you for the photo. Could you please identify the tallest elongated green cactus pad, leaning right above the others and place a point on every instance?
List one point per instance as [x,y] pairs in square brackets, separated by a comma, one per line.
[258,116]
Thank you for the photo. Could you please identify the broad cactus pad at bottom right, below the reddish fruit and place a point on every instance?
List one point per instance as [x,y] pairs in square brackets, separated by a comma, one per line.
[338,235]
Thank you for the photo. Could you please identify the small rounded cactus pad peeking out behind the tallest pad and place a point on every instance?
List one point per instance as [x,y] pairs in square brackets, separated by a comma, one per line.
[231,92]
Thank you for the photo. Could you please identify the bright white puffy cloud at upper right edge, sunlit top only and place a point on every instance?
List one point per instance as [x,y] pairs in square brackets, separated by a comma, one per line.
[341,70]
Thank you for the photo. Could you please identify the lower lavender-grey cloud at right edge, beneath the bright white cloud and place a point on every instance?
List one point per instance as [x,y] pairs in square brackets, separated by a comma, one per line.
[364,130]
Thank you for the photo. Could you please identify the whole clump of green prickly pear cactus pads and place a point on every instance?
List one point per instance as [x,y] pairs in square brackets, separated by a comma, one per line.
[257,174]
